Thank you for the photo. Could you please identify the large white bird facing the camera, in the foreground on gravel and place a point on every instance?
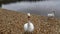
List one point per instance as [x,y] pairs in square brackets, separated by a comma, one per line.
[29,27]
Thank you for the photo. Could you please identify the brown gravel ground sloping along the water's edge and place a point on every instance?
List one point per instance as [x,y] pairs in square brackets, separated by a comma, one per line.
[12,22]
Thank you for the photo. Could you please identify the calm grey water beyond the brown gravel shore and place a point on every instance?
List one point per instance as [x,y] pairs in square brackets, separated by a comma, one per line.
[40,8]
